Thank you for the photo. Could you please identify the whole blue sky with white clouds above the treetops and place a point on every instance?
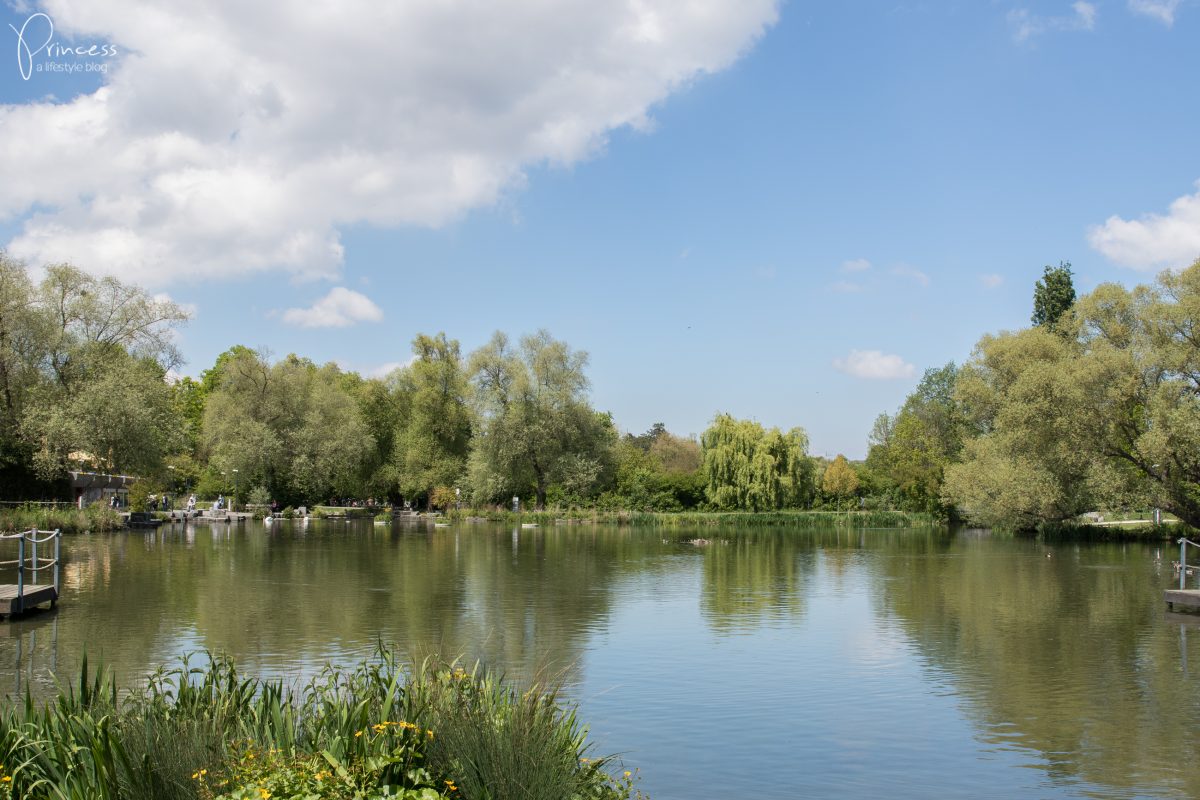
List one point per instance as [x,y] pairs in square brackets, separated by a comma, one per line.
[782,210]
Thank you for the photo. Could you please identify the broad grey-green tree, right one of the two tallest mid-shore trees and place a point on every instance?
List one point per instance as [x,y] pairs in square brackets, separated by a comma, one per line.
[536,428]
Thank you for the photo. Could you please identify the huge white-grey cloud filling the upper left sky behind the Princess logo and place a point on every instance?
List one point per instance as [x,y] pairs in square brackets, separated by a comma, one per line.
[232,139]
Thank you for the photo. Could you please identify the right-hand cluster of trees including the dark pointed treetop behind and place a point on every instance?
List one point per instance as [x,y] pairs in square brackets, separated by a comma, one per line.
[1095,407]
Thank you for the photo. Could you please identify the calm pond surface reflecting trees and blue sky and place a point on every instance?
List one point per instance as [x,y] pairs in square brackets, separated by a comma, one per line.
[763,665]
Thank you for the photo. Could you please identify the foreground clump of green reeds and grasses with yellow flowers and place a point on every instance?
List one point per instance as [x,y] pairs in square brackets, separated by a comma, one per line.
[383,730]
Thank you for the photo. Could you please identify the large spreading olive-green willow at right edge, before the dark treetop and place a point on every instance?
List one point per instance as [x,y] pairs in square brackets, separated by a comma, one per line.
[1102,413]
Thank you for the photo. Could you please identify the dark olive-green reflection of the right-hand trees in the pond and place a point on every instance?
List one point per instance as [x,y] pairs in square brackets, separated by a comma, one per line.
[1066,651]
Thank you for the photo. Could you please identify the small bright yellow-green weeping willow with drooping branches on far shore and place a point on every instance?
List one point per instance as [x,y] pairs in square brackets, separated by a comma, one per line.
[749,468]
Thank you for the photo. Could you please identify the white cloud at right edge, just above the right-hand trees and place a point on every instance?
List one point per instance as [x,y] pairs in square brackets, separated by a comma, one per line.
[1156,240]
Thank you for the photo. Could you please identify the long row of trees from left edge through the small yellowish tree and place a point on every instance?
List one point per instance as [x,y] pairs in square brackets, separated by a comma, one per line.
[87,375]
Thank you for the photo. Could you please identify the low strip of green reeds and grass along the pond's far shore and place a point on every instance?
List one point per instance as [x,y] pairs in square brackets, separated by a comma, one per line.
[705,519]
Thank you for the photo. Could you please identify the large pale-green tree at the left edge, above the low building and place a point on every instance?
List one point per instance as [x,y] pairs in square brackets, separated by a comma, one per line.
[83,366]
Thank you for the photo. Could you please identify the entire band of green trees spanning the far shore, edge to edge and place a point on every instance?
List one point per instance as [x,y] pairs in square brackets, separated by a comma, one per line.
[1095,407]
